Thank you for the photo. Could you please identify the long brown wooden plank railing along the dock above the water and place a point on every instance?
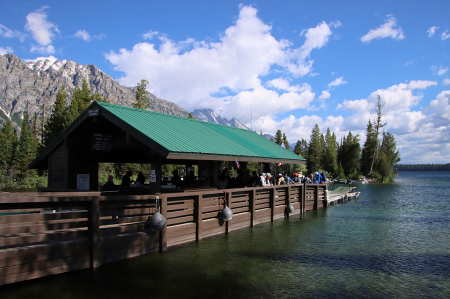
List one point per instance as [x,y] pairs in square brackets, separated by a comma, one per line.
[42,235]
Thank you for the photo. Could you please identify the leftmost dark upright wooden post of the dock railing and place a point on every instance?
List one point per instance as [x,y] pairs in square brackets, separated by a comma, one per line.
[94,231]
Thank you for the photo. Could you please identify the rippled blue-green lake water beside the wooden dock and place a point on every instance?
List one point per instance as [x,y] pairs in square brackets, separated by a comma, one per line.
[392,242]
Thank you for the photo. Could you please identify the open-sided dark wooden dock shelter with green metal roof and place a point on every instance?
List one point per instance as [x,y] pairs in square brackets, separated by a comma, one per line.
[110,133]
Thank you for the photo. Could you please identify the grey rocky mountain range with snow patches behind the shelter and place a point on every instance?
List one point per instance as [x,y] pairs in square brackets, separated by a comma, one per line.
[26,86]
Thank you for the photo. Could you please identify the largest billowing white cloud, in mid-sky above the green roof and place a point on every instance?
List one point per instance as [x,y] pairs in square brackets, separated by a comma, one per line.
[194,73]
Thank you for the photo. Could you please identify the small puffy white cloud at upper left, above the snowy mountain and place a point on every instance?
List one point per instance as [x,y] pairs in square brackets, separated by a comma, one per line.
[41,30]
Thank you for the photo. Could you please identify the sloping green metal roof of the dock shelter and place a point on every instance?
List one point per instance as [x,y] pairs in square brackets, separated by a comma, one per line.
[179,135]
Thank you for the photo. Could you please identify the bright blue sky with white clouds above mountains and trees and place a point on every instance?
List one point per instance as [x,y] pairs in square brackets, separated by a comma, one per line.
[273,65]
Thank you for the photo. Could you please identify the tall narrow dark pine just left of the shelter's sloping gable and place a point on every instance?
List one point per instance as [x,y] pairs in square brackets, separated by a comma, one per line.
[58,120]
